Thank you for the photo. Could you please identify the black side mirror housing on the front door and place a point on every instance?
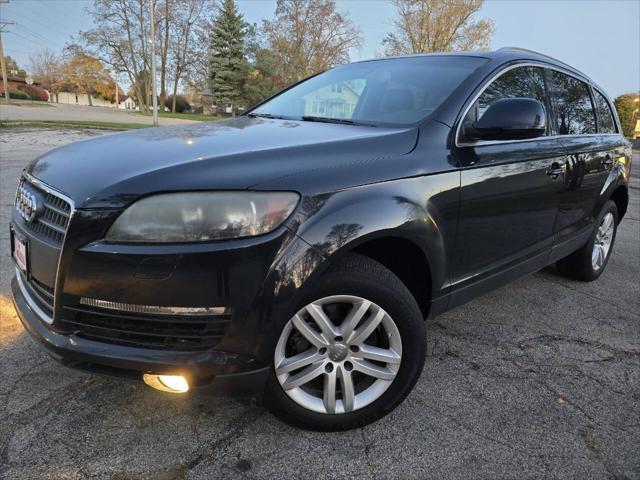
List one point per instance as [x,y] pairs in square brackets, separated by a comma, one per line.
[509,119]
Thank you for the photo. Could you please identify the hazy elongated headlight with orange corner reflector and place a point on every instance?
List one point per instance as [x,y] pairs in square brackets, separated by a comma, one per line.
[202,216]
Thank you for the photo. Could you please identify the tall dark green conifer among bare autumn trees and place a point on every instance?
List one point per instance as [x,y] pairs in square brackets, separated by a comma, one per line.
[227,61]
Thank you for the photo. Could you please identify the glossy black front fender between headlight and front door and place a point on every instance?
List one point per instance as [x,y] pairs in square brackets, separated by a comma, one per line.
[422,210]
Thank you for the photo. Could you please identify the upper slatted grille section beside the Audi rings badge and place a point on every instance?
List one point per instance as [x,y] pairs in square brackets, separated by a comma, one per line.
[52,221]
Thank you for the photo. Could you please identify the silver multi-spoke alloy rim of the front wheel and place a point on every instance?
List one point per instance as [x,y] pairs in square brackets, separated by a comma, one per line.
[338,354]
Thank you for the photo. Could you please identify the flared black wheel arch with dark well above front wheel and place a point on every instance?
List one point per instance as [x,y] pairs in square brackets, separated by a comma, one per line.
[401,234]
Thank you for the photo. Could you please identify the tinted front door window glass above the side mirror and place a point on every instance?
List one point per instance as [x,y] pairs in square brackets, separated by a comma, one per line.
[521,82]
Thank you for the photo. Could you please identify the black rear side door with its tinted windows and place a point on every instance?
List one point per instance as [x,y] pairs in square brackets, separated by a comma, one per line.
[588,149]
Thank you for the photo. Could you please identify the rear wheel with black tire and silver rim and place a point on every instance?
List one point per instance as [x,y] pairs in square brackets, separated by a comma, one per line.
[581,264]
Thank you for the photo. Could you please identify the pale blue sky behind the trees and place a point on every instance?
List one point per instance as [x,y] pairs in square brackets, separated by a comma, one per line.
[599,37]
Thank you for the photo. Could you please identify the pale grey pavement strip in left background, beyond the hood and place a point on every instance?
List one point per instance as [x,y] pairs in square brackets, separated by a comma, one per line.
[62,112]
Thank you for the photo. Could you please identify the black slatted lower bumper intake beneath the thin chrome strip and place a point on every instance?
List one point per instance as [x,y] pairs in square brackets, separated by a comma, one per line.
[161,332]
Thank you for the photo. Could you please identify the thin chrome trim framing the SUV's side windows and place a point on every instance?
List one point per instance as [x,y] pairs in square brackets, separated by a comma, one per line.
[468,106]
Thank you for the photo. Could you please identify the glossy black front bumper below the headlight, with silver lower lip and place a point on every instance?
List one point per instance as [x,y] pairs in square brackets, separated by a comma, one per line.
[256,279]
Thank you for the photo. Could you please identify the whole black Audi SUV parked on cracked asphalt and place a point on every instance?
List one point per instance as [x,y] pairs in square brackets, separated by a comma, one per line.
[295,251]
